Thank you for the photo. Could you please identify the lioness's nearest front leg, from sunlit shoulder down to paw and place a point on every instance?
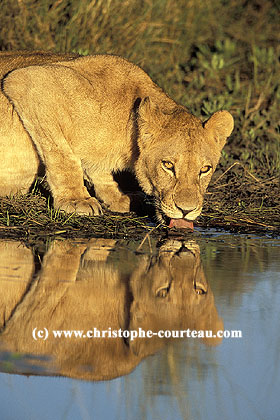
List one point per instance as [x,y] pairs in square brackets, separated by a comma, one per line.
[43,110]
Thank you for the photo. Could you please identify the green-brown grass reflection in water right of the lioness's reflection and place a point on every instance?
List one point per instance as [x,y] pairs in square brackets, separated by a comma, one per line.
[244,258]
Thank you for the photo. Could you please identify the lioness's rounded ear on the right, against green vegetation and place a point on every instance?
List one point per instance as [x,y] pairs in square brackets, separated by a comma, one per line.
[220,125]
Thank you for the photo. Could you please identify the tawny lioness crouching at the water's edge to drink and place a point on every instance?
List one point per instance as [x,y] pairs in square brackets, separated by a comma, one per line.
[89,117]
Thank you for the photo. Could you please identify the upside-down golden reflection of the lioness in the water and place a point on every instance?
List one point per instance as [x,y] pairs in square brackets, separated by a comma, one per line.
[80,287]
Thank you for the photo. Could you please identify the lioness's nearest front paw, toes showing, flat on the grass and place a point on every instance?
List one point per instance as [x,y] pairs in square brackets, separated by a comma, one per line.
[86,206]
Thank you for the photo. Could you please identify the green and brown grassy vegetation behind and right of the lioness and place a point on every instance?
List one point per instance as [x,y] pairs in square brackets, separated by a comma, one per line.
[221,54]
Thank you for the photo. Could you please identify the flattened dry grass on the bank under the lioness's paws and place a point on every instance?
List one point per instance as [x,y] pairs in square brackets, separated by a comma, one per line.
[29,216]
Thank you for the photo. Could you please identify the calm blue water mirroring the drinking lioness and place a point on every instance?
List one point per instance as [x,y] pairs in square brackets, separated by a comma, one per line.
[210,282]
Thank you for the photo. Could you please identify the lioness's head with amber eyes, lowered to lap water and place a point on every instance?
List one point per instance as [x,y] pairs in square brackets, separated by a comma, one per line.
[178,155]
